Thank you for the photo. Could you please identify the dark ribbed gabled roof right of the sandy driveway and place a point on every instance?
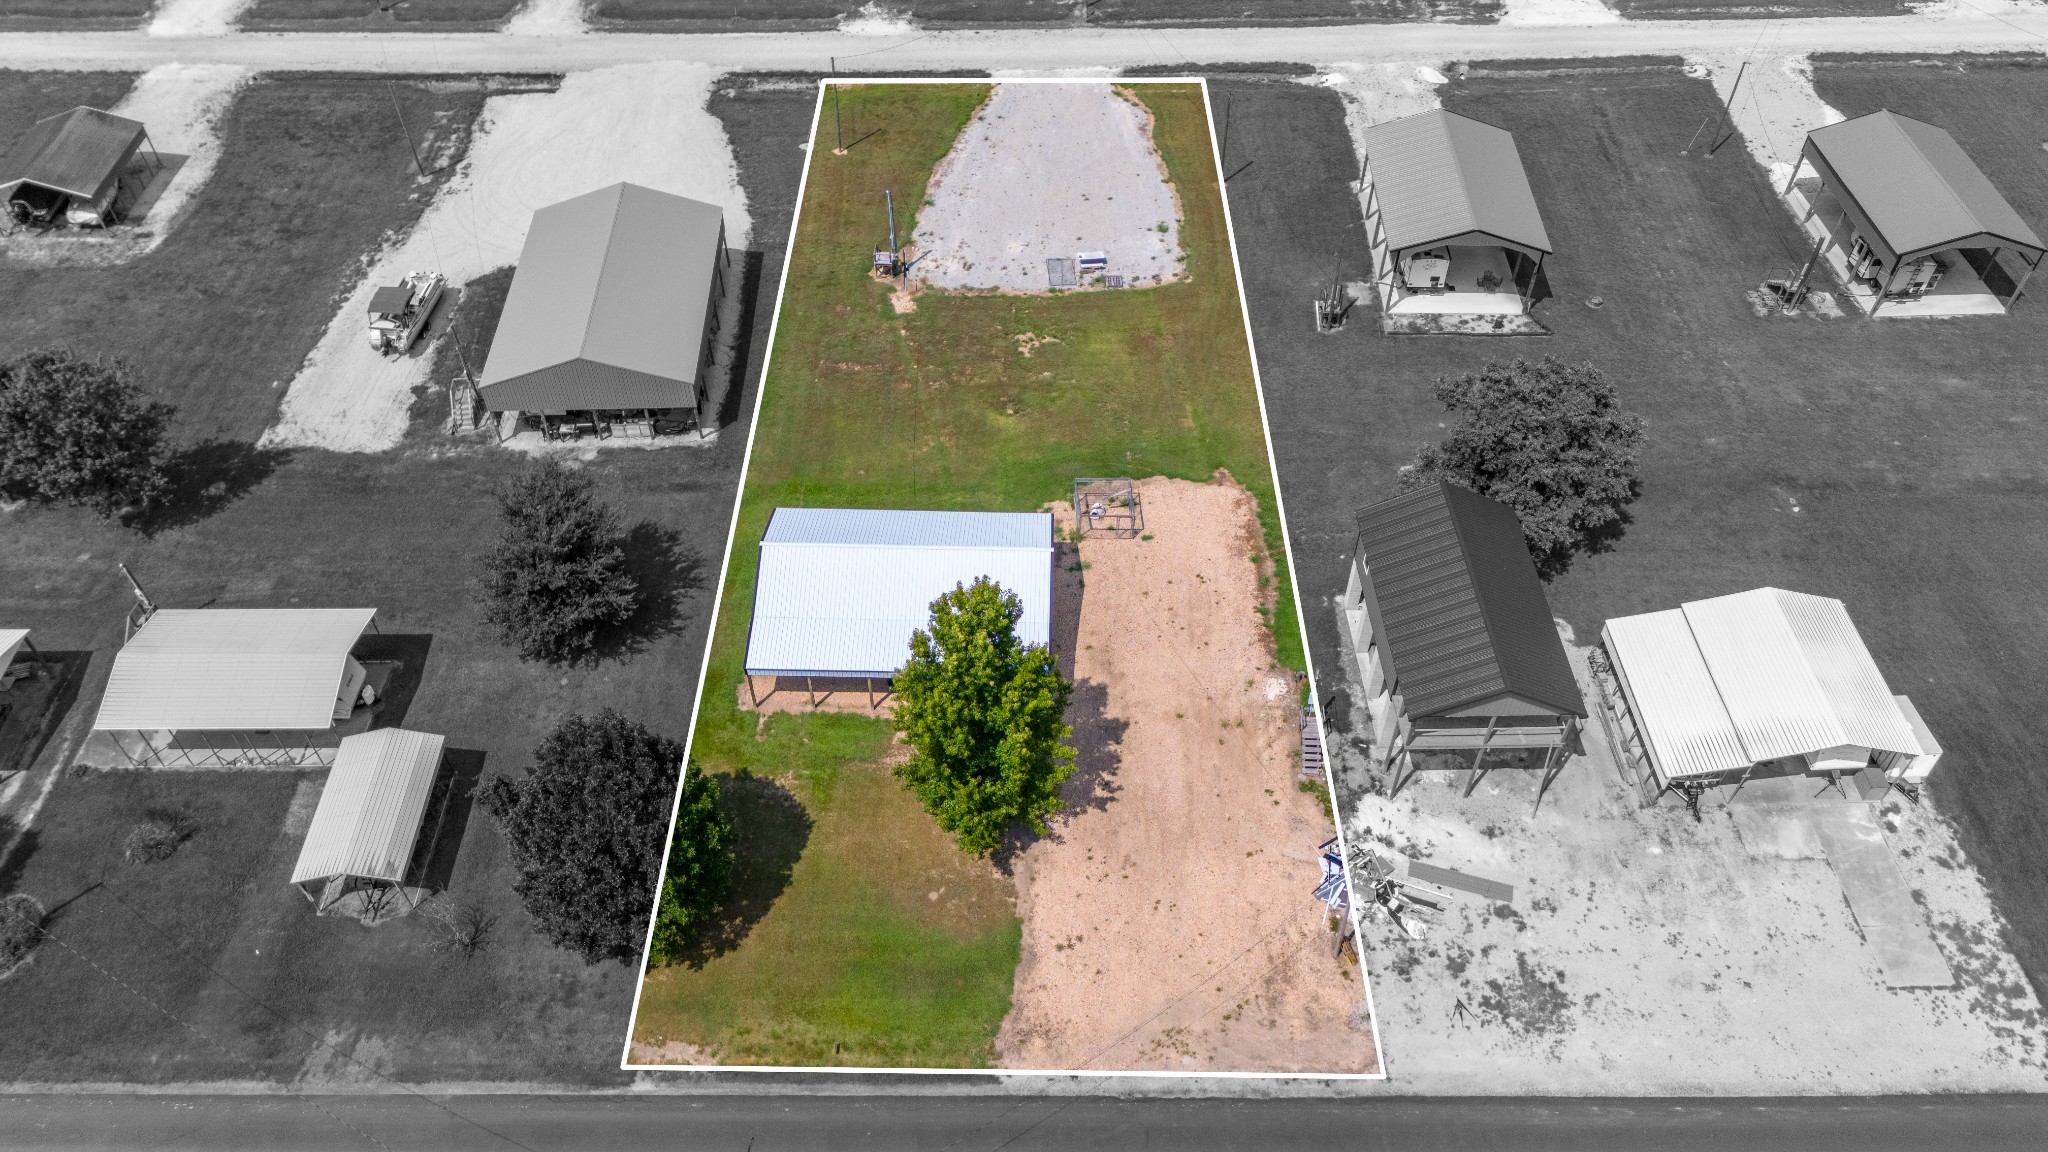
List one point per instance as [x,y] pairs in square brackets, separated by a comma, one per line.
[1457,604]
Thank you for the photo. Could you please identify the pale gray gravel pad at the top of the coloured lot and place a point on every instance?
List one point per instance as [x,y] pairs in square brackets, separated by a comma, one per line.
[1048,171]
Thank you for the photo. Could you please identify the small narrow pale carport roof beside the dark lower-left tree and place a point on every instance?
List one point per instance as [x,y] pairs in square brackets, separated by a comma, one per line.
[370,811]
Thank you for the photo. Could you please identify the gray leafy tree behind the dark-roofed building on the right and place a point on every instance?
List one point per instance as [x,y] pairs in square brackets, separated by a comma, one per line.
[1551,442]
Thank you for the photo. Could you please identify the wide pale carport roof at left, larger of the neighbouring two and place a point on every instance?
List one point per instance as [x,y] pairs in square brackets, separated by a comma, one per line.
[232,669]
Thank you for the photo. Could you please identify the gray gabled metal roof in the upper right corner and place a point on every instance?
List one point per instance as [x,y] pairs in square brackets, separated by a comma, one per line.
[1912,190]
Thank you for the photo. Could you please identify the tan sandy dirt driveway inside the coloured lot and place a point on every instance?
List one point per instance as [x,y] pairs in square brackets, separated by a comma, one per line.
[1170,919]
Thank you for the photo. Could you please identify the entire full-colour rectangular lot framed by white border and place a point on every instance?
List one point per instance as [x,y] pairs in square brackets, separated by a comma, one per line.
[1009,491]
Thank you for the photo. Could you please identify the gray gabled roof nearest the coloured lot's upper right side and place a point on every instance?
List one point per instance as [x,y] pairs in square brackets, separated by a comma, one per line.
[1449,179]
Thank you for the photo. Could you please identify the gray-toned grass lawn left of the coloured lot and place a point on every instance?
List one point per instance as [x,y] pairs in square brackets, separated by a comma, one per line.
[314,175]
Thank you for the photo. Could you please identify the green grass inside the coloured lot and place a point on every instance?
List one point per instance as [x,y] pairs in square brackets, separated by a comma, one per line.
[935,409]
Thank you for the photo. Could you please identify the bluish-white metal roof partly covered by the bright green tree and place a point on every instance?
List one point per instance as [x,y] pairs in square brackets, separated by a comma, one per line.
[841,591]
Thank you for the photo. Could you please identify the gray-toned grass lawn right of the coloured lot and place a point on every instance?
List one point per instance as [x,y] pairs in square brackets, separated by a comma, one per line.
[1891,464]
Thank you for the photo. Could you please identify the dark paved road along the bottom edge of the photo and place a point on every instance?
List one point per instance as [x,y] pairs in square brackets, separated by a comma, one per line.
[988,1124]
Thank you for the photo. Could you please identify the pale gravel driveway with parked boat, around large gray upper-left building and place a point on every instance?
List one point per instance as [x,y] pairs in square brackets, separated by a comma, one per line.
[642,124]
